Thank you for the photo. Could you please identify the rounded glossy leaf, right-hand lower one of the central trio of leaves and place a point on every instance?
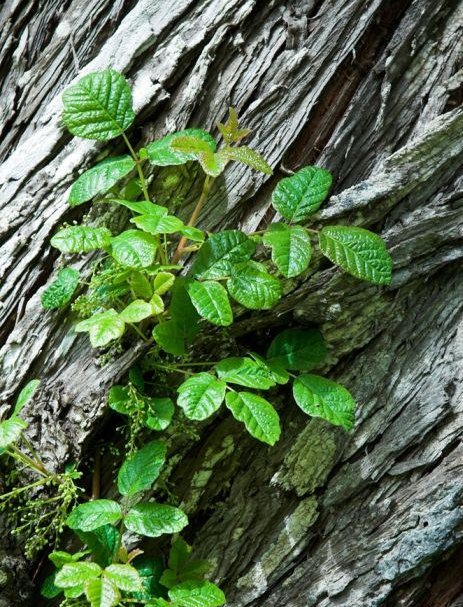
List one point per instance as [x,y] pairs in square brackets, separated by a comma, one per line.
[253,287]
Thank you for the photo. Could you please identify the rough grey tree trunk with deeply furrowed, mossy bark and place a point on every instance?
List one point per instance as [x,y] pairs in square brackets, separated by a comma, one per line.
[370,90]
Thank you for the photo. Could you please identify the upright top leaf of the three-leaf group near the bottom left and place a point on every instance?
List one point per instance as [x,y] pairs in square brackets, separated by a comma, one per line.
[141,469]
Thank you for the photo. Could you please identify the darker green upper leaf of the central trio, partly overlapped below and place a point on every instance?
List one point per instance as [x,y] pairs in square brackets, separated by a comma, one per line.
[217,255]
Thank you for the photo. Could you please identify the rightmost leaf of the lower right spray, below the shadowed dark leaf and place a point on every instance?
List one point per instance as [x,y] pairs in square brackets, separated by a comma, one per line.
[321,397]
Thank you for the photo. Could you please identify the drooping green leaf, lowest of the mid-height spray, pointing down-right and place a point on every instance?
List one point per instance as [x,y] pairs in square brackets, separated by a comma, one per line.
[257,414]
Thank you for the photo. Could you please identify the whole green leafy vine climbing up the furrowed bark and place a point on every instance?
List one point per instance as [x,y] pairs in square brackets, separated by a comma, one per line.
[141,288]
